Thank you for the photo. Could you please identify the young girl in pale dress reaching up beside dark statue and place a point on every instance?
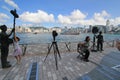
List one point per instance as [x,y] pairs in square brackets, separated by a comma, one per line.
[17,50]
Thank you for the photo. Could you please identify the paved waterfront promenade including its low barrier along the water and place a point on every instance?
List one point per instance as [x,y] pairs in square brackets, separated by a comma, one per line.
[102,65]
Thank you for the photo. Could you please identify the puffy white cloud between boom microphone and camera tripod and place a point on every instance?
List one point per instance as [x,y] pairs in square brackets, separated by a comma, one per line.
[38,17]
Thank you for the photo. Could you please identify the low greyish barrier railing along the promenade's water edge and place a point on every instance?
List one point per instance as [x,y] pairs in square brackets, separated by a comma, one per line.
[42,48]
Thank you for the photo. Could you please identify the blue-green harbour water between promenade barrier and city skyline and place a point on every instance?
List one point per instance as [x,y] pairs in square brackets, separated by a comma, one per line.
[30,38]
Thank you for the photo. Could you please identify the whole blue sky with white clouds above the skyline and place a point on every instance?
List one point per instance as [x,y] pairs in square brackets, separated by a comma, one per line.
[60,13]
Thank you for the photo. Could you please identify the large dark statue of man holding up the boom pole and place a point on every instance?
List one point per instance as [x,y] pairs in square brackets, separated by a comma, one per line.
[5,41]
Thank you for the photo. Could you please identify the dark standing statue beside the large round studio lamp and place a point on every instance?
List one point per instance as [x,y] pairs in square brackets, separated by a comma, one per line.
[100,41]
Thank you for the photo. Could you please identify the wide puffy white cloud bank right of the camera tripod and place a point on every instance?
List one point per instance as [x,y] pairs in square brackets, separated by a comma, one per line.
[77,17]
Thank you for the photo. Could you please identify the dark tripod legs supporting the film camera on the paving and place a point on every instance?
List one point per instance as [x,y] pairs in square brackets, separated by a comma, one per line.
[56,52]
